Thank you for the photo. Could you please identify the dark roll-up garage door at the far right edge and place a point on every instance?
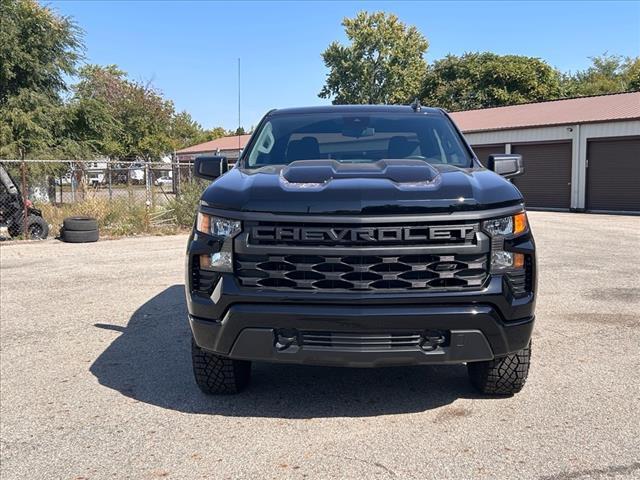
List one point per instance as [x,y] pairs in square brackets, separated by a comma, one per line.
[613,175]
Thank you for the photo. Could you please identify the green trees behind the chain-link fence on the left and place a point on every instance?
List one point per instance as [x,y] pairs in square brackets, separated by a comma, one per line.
[103,113]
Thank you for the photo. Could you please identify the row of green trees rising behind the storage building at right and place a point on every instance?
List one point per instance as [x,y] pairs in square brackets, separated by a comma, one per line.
[383,62]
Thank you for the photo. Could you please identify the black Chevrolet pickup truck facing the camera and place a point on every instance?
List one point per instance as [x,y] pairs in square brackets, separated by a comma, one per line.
[360,236]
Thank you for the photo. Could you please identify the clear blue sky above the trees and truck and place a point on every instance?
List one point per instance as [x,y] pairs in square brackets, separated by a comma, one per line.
[190,49]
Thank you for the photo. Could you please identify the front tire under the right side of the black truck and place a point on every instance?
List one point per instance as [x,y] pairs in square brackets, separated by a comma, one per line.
[501,376]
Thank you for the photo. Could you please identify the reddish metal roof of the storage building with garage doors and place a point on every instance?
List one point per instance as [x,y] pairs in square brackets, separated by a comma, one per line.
[604,108]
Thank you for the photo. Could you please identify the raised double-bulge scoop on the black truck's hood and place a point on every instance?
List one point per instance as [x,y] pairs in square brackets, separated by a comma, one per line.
[307,173]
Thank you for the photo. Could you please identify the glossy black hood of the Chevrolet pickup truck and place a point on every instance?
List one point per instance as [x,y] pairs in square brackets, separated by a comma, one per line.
[382,188]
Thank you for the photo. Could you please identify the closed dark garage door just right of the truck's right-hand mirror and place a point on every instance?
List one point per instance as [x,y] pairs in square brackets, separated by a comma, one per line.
[546,182]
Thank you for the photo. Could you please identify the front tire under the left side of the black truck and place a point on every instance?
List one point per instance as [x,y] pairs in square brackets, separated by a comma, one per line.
[215,374]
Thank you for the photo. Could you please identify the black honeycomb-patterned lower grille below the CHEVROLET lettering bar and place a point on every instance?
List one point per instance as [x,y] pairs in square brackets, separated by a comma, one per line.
[362,272]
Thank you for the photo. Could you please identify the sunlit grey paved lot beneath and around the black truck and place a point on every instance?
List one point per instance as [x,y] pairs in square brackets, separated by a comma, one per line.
[96,378]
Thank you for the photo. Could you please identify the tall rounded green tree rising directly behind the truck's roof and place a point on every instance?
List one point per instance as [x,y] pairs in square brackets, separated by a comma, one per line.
[382,64]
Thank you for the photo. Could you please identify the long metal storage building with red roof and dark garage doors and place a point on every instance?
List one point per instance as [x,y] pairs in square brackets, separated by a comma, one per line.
[579,153]
